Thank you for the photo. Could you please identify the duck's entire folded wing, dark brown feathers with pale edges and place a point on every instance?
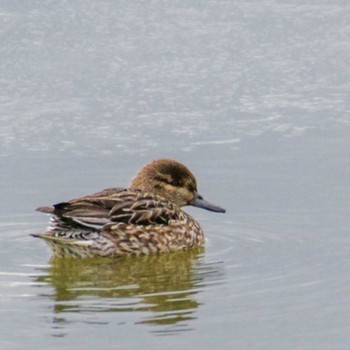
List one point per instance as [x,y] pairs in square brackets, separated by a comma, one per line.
[113,205]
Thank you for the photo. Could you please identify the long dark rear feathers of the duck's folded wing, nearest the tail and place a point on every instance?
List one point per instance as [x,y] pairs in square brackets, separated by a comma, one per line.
[86,212]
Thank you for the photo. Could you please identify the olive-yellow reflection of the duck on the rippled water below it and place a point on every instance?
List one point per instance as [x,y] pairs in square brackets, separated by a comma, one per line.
[164,286]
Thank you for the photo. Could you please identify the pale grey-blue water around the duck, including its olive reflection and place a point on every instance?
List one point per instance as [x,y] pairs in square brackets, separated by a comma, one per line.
[253,97]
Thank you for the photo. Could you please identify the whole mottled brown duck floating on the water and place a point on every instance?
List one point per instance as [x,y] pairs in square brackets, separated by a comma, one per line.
[145,218]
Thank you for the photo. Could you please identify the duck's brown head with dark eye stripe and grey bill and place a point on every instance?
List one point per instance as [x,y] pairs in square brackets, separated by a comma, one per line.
[172,181]
